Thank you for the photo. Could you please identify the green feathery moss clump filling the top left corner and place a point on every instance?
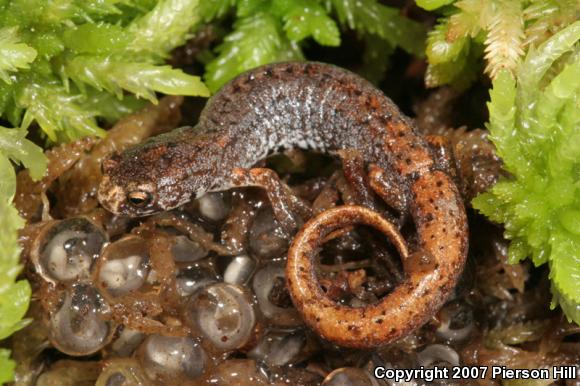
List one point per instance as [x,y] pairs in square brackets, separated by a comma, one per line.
[57,59]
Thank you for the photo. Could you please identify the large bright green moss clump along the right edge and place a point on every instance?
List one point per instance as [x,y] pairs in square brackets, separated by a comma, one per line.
[535,125]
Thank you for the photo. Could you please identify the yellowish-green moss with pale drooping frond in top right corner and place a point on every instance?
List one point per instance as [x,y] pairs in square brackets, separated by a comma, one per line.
[497,32]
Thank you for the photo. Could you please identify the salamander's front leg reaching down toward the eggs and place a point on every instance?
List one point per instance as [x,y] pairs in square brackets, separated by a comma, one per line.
[289,209]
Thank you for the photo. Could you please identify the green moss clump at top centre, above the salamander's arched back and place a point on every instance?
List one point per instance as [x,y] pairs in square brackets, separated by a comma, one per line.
[267,31]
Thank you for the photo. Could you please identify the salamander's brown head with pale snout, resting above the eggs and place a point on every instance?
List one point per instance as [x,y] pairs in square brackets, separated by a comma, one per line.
[159,175]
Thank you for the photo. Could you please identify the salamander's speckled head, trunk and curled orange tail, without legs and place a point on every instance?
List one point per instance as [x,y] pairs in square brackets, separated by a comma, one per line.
[326,108]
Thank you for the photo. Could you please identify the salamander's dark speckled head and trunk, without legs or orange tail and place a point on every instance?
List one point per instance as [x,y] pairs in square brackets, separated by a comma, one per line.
[308,105]
